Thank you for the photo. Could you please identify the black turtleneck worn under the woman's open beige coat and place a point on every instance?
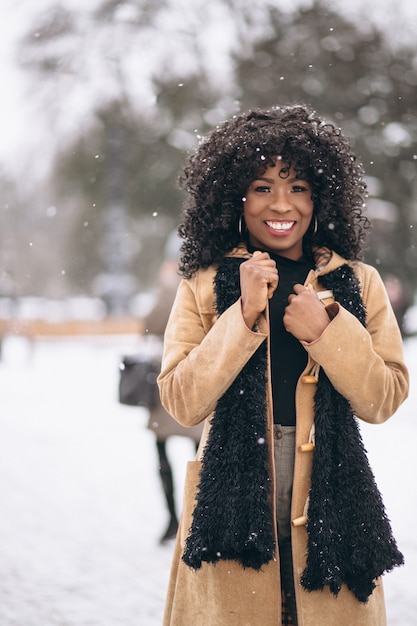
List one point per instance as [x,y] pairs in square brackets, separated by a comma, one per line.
[288,357]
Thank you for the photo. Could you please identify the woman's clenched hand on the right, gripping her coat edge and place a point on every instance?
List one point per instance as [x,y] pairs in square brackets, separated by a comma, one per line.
[305,316]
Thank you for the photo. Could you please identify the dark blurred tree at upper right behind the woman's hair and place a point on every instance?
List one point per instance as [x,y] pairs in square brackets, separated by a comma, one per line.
[349,74]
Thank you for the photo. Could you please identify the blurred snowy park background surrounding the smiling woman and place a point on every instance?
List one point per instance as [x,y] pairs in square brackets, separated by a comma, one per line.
[100,102]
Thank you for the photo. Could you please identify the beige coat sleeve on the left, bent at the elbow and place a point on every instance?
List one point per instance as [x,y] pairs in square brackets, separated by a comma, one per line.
[202,354]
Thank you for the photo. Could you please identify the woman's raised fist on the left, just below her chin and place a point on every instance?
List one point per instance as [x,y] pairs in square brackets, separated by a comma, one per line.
[258,281]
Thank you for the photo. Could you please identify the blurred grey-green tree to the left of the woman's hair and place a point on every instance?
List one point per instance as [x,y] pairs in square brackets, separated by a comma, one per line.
[118,182]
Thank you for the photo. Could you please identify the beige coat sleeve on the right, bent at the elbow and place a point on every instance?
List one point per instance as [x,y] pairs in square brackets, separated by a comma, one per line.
[366,365]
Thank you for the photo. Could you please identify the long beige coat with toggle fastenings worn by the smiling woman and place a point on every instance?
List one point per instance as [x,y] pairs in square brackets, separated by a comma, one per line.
[202,356]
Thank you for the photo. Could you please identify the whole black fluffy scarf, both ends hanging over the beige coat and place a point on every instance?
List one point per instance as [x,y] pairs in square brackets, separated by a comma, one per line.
[349,535]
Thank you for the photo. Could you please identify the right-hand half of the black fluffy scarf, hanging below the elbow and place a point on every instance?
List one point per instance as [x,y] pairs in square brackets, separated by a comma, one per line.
[349,535]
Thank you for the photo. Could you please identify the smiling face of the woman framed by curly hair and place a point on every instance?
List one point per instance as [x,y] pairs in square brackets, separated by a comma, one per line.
[278,209]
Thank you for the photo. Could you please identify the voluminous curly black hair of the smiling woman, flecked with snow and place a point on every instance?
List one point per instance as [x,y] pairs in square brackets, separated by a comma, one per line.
[217,175]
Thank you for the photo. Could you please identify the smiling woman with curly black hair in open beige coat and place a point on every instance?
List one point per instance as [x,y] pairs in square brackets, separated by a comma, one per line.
[279,336]
